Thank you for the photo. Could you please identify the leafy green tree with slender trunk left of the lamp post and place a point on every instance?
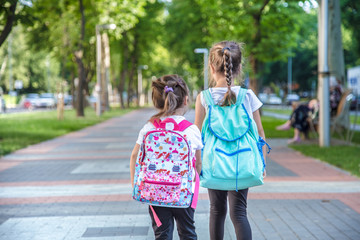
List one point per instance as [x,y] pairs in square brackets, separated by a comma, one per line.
[57,29]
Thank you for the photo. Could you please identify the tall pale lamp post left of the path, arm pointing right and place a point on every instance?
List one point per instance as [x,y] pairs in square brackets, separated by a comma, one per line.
[98,87]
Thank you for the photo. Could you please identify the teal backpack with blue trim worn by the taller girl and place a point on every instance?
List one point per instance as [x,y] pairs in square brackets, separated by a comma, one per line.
[232,156]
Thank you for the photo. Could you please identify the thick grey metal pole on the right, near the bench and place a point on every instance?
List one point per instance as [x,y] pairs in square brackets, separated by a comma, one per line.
[324,80]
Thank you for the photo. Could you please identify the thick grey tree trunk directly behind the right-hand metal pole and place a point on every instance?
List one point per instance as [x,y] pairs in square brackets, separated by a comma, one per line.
[336,53]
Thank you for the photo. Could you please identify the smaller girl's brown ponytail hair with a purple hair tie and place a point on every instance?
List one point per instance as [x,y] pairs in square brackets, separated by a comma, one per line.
[168,94]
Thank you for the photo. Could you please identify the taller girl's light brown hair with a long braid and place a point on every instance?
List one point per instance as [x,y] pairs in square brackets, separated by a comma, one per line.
[225,57]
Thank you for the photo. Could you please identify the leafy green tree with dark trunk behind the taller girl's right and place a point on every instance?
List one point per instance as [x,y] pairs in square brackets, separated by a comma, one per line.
[268,28]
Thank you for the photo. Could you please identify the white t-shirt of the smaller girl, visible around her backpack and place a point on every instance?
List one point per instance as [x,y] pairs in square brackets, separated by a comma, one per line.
[192,133]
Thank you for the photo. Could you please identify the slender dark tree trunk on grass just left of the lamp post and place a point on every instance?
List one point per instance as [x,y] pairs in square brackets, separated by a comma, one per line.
[81,69]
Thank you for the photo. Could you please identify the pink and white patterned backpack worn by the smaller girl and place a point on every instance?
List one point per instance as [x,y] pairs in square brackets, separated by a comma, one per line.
[165,167]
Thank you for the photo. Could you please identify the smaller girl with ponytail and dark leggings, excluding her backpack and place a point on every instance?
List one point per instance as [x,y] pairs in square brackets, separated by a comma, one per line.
[170,96]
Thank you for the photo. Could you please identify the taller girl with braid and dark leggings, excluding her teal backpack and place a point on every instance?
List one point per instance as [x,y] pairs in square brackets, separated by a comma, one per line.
[225,65]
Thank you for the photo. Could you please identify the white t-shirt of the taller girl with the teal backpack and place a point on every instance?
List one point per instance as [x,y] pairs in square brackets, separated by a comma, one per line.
[251,102]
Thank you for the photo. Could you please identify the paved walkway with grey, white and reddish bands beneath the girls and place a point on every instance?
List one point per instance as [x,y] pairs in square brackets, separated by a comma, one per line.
[77,187]
